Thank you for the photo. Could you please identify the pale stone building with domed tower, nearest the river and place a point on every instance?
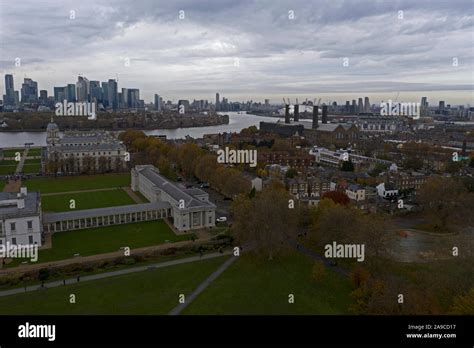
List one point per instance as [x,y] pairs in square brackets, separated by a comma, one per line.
[78,152]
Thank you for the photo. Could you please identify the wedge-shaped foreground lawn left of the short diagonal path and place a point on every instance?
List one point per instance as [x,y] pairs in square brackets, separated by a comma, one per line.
[148,292]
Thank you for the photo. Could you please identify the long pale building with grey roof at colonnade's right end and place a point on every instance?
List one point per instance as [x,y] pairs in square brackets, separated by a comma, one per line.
[190,208]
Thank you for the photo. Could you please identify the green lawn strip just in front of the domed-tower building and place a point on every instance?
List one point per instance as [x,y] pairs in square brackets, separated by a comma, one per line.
[78,183]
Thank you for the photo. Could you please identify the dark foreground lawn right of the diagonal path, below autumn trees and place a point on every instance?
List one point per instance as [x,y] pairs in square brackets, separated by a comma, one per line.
[262,287]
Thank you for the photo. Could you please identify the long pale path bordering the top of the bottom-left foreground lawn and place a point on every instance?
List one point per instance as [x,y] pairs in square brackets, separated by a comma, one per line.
[151,267]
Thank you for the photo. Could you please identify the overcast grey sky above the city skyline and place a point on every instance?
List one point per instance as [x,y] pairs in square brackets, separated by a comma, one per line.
[247,49]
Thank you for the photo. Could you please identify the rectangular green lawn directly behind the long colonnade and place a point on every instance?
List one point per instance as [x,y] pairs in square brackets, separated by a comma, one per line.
[86,200]
